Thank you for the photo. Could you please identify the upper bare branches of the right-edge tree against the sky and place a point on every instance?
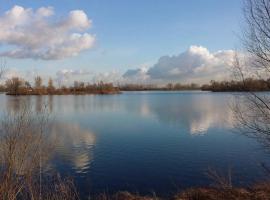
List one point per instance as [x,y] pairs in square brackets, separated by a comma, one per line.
[256,35]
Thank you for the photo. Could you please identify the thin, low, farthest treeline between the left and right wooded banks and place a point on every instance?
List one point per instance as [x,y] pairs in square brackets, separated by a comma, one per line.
[169,86]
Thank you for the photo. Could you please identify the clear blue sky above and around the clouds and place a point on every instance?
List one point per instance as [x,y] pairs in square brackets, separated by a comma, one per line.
[130,34]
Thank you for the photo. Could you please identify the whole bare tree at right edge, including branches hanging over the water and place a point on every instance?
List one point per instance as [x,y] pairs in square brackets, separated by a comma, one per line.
[252,109]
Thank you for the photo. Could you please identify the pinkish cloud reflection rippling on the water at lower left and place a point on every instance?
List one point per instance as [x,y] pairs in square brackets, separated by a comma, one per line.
[74,144]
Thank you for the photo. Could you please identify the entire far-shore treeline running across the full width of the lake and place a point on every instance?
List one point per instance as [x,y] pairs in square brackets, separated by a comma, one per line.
[18,86]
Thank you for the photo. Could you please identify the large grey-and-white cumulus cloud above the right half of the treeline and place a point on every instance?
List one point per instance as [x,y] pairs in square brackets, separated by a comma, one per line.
[197,64]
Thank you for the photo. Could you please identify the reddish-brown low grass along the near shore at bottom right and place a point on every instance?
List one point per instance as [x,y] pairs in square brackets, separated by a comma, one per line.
[221,189]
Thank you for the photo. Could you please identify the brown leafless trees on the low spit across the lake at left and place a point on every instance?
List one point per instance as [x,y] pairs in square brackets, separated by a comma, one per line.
[18,86]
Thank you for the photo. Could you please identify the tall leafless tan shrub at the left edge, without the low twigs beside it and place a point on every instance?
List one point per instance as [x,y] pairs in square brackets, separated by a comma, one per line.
[22,150]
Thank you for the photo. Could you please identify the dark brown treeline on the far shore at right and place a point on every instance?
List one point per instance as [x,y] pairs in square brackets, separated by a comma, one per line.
[246,85]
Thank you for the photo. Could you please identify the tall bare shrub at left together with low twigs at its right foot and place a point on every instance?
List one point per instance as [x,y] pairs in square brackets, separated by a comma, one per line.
[25,151]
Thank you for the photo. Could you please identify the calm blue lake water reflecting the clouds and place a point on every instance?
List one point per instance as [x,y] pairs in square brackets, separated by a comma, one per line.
[146,141]
